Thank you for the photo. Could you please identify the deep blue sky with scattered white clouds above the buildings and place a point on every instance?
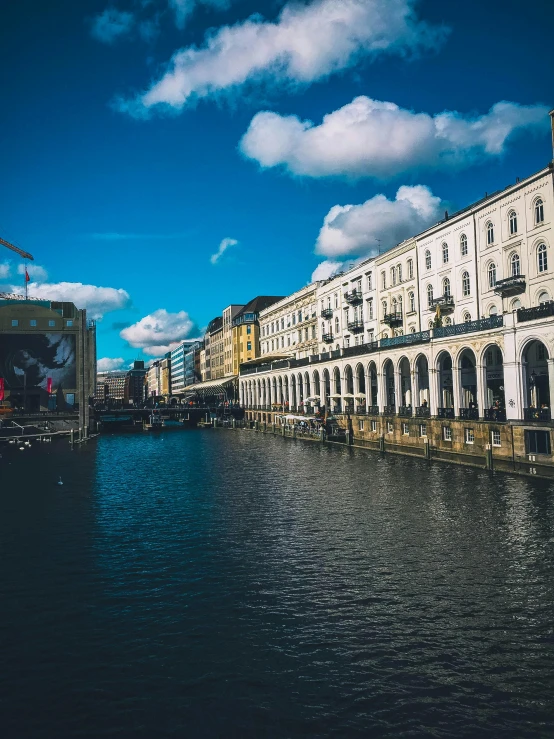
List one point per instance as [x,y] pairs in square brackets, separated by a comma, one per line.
[142,137]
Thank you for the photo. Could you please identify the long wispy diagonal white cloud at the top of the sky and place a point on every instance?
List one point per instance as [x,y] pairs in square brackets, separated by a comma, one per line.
[306,43]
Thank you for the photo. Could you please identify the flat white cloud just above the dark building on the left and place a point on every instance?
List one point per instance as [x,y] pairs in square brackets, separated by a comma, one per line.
[97,300]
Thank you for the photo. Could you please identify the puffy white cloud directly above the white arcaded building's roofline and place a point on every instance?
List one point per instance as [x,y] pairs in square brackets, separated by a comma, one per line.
[356,229]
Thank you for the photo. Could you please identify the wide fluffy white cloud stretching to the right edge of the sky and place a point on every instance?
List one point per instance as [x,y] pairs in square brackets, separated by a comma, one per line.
[371,138]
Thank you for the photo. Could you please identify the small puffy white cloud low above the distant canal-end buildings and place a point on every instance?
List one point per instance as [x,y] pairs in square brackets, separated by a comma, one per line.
[159,332]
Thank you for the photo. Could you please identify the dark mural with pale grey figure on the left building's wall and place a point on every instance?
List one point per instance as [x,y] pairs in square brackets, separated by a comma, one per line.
[40,360]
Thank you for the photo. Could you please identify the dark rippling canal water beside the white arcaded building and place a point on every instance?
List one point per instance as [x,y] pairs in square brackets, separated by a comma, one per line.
[227,584]
